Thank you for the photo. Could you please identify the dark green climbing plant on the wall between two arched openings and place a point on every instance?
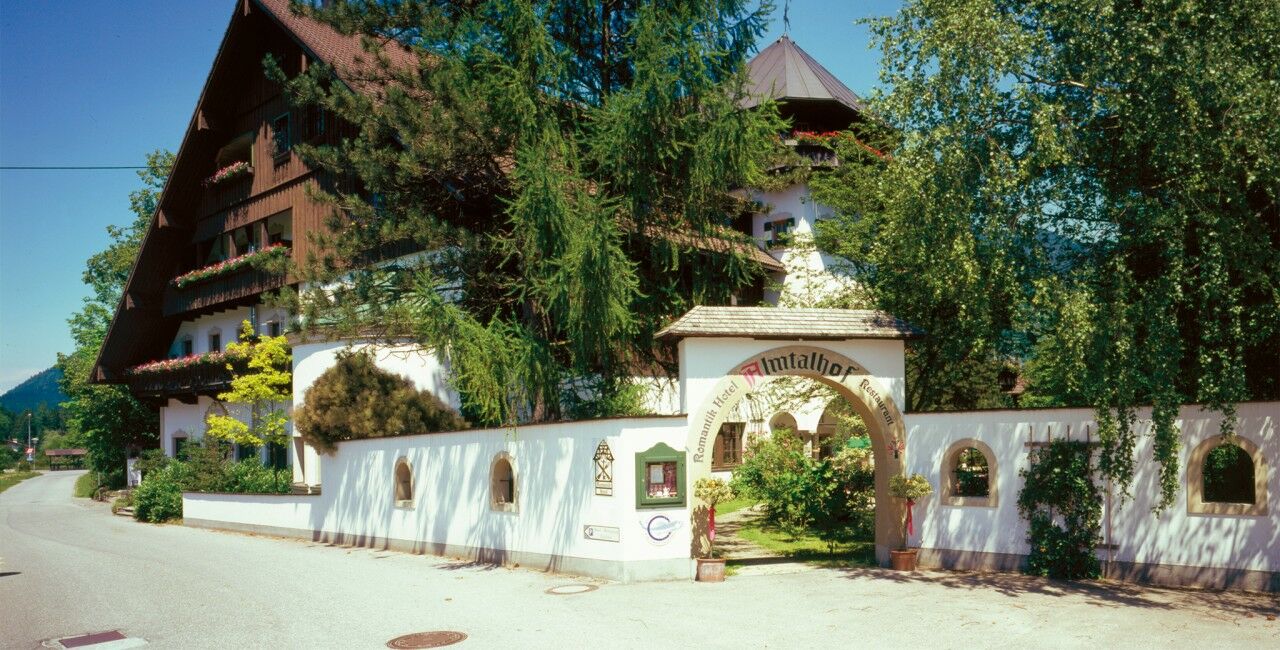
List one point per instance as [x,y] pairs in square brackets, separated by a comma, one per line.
[1064,509]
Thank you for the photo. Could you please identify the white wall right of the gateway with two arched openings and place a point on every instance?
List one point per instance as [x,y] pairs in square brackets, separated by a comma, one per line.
[1176,538]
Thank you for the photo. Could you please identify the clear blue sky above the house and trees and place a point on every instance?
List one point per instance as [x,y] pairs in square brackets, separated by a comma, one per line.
[86,83]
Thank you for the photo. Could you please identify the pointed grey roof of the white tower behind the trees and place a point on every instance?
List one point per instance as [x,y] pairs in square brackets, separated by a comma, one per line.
[785,72]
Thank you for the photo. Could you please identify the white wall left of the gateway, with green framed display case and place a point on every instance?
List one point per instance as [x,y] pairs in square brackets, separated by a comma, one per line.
[556,496]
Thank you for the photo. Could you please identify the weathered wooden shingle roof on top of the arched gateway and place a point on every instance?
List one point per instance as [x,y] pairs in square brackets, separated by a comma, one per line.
[783,323]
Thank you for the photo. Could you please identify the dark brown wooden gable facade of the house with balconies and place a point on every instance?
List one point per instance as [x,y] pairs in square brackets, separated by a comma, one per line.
[239,117]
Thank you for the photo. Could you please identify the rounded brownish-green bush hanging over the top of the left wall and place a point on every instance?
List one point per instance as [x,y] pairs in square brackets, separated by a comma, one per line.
[356,400]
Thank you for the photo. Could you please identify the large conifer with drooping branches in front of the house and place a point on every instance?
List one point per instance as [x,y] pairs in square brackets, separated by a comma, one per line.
[566,163]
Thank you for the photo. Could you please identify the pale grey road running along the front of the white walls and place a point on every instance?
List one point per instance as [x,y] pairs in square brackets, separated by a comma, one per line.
[71,567]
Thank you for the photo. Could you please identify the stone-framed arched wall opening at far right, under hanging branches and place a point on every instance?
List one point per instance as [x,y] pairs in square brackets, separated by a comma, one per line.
[1227,477]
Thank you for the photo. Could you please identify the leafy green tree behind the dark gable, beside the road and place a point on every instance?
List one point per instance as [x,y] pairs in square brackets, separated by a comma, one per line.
[107,416]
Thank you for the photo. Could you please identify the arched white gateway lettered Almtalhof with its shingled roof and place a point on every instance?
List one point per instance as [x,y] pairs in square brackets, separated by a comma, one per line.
[729,353]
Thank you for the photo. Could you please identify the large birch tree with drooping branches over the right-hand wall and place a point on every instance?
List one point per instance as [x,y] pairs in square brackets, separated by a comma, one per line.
[1127,155]
